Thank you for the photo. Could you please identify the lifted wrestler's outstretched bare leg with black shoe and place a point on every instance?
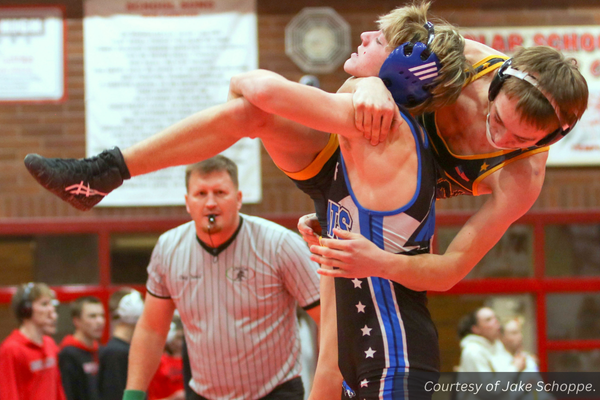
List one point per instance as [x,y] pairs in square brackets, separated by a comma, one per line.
[84,183]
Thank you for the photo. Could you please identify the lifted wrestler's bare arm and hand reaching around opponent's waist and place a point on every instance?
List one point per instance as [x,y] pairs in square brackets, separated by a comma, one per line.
[514,190]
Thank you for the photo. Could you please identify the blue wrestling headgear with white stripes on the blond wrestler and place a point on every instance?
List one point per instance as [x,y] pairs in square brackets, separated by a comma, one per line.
[409,70]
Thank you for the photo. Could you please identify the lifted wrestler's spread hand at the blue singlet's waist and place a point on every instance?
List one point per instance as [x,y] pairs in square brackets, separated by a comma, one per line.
[354,255]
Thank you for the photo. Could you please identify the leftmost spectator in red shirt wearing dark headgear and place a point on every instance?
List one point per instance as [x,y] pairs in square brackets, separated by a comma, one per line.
[28,356]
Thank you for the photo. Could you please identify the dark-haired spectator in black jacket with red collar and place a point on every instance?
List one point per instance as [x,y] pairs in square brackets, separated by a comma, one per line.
[78,357]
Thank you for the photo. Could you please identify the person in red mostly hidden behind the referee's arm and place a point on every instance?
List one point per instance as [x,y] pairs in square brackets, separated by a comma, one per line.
[167,383]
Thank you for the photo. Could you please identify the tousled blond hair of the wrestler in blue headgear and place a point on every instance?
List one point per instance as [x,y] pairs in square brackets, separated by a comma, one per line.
[407,23]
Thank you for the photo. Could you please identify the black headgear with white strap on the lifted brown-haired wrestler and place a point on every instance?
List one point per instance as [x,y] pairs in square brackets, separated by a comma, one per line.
[505,72]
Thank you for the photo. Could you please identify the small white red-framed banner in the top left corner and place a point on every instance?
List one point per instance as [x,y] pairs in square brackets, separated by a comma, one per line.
[32,67]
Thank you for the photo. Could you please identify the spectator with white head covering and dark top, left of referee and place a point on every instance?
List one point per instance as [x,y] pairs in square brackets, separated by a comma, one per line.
[125,306]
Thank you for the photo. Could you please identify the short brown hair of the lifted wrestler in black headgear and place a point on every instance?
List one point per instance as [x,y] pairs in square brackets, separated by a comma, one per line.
[556,75]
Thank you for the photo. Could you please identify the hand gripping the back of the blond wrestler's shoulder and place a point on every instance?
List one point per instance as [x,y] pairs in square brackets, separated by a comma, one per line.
[375,112]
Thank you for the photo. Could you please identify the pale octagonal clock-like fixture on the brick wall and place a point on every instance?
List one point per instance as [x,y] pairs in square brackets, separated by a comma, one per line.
[318,40]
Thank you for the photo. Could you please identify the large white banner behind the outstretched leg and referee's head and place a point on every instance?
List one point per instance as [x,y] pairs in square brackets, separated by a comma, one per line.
[149,64]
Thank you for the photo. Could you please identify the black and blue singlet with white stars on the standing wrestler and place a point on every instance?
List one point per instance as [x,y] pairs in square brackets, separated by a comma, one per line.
[387,342]
